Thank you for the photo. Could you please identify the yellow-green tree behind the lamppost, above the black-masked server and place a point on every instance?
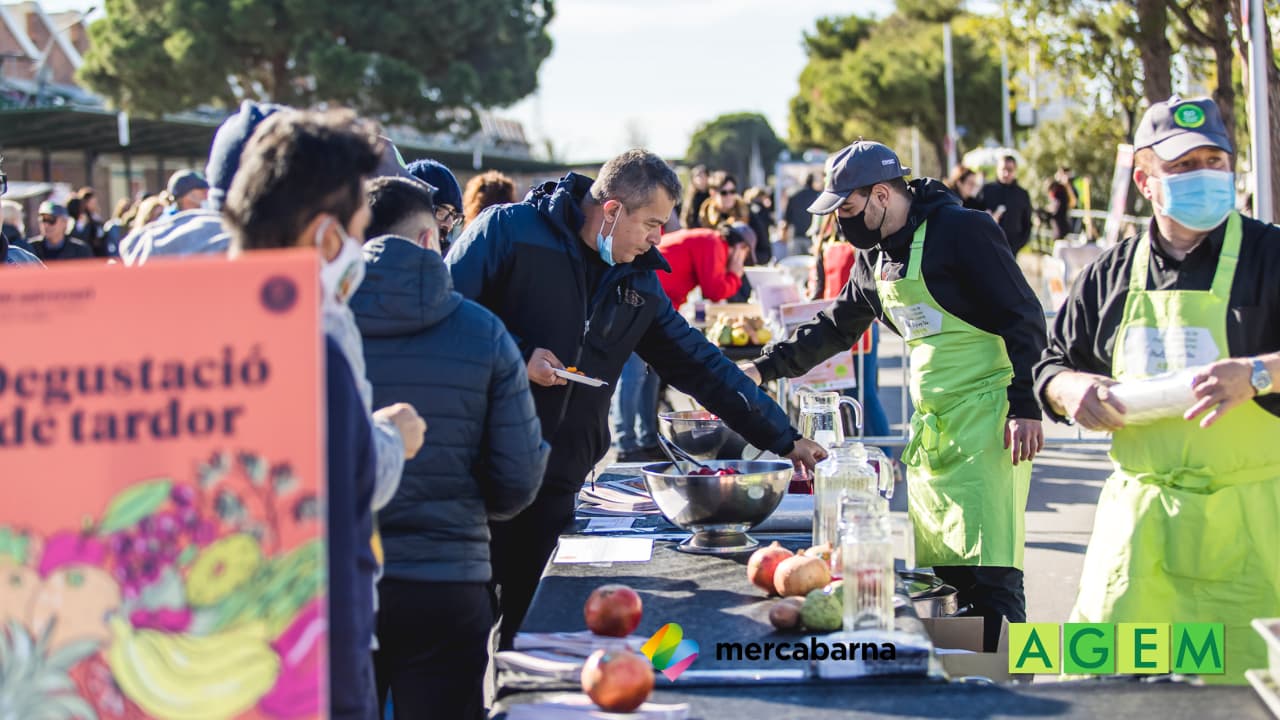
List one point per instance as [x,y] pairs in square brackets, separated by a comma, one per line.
[889,76]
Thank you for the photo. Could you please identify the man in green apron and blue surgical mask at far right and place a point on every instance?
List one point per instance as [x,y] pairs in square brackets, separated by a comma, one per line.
[1188,526]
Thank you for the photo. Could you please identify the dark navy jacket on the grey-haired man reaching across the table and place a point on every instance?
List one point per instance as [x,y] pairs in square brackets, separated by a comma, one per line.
[525,262]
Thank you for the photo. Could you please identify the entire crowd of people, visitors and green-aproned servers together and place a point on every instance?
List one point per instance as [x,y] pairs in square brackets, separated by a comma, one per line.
[450,330]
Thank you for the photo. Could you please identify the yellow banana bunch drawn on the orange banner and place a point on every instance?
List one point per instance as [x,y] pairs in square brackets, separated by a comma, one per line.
[194,678]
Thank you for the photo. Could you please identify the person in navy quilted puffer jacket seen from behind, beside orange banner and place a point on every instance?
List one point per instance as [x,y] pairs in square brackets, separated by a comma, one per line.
[455,362]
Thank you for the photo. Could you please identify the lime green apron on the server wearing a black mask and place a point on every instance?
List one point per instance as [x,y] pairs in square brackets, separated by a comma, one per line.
[967,499]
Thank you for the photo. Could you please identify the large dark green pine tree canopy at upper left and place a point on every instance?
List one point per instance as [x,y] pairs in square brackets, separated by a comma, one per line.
[427,62]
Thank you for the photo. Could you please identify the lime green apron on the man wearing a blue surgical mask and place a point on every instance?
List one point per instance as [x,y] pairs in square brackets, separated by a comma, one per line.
[1188,525]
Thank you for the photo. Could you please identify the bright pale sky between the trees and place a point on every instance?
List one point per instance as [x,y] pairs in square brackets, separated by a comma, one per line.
[652,71]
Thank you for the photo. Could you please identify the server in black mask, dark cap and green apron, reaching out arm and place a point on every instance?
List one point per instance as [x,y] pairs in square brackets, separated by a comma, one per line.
[944,279]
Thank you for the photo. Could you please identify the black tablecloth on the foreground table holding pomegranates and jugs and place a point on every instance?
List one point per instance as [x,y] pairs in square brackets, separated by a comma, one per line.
[711,599]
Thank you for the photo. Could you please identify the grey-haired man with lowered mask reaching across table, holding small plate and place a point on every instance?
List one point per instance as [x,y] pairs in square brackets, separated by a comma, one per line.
[572,274]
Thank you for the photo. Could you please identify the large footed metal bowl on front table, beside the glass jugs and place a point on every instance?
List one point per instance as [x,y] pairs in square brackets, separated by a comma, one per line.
[719,509]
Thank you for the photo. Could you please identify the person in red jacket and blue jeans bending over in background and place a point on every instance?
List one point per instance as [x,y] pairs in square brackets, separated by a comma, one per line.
[712,259]
